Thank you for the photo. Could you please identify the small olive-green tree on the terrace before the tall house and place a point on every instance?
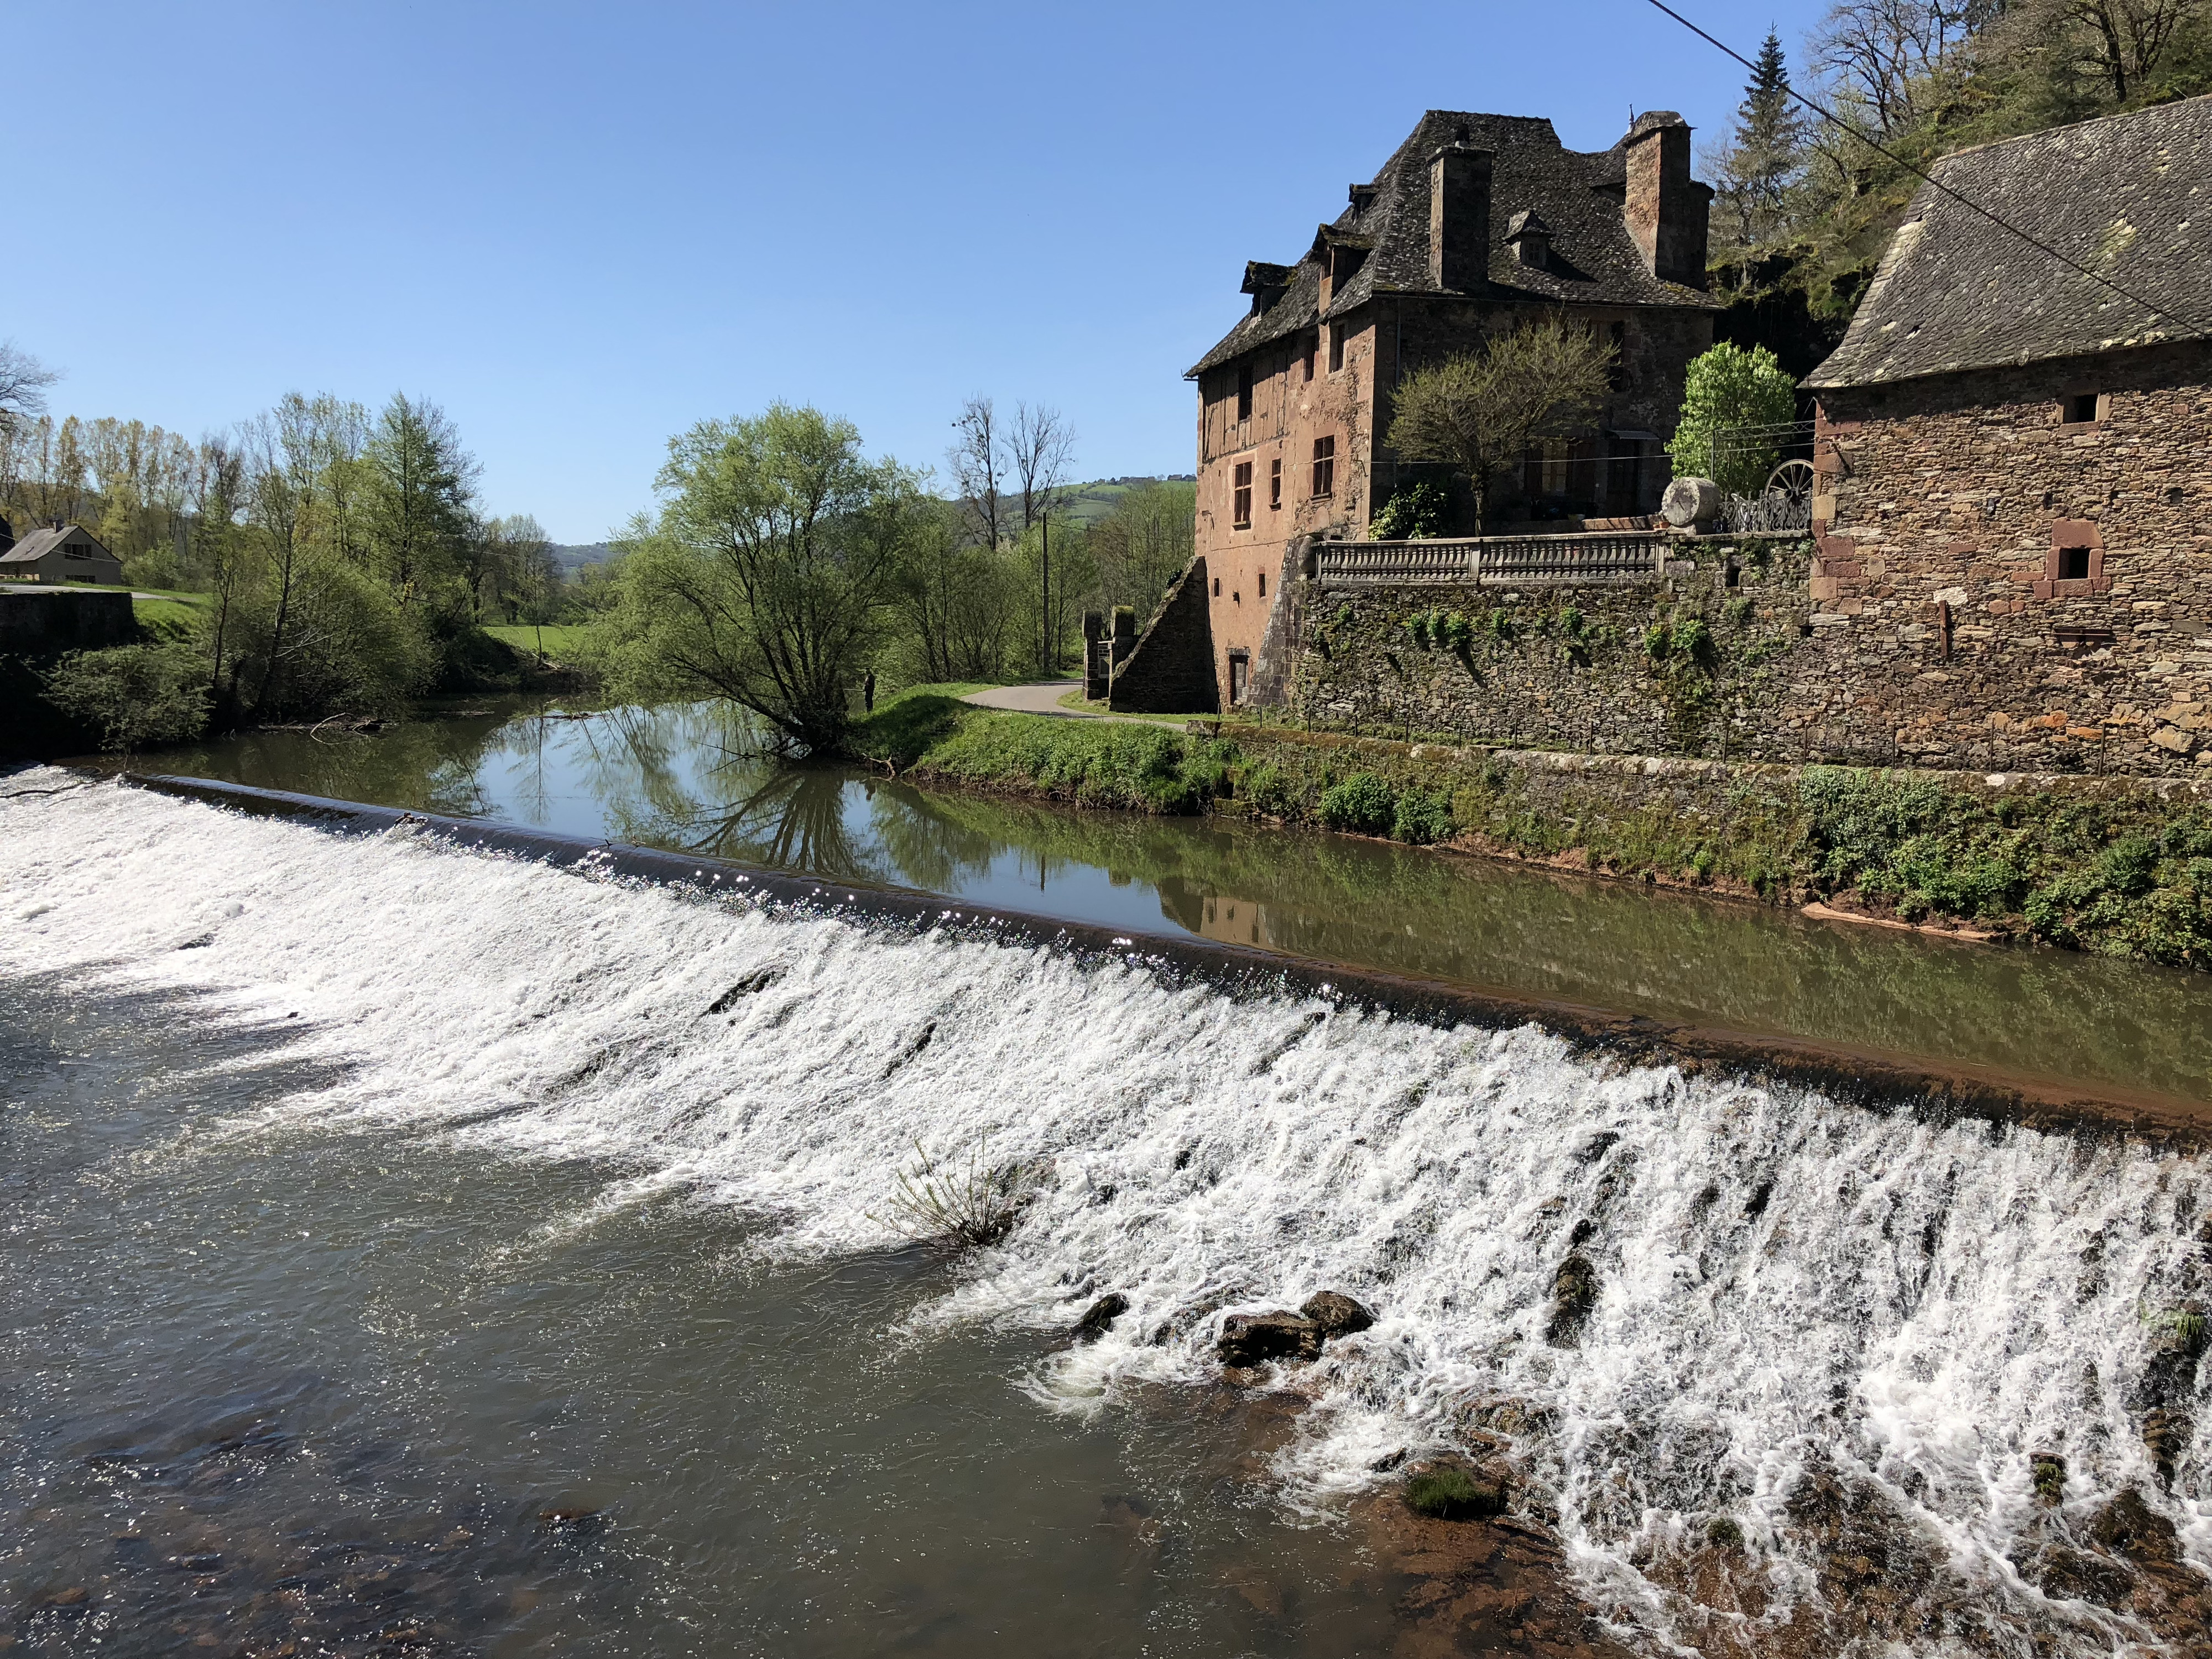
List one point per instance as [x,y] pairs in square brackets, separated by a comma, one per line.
[1483,413]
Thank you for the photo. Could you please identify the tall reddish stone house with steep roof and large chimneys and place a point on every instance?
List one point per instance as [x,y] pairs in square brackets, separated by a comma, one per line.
[1474,222]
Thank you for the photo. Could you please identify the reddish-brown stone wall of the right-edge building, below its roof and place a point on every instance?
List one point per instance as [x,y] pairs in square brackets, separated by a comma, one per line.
[1941,585]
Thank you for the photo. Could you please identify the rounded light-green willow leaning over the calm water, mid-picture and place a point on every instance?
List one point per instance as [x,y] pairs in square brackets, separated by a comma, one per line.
[766,576]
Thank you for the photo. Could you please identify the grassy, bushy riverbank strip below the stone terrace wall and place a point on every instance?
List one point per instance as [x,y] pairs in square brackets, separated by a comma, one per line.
[2091,864]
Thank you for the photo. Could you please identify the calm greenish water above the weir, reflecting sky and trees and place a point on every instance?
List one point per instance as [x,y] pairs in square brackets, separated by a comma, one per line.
[687,780]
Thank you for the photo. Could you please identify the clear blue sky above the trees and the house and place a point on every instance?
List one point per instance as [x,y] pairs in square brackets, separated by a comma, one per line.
[581,229]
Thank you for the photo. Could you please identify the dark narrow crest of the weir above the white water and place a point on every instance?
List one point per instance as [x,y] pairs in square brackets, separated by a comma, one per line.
[1890,1083]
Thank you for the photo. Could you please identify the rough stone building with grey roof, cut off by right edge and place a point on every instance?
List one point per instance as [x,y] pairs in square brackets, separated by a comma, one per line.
[2014,461]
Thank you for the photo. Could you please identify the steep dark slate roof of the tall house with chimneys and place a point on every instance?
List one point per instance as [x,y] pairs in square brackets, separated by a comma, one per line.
[1576,194]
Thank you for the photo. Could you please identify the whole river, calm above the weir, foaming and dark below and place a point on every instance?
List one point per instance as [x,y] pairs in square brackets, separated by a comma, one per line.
[410,1246]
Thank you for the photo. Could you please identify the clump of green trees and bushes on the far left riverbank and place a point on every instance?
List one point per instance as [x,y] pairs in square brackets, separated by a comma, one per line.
[320,559]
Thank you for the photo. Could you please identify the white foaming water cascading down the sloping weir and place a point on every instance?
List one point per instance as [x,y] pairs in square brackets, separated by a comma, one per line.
[1784,1282]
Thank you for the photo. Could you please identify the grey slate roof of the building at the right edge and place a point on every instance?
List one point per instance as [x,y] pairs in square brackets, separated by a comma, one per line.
[2129,196]
